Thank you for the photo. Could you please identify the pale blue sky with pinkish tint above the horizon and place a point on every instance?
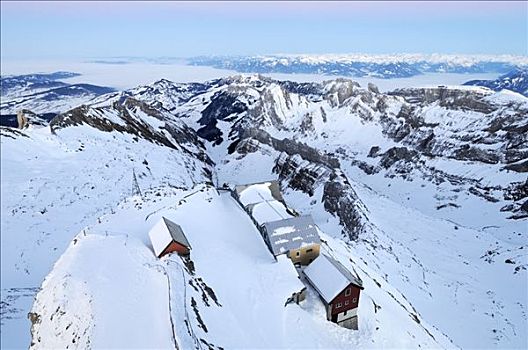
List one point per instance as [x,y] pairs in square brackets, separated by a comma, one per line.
[102,29]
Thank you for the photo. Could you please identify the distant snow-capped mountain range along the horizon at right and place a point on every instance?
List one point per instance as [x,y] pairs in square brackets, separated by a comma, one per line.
[358,65]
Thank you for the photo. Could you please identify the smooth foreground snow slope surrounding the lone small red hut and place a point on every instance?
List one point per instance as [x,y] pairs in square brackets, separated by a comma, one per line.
[210,308]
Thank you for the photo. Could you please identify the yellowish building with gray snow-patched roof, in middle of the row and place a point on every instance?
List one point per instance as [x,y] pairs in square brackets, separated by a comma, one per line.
[295,236]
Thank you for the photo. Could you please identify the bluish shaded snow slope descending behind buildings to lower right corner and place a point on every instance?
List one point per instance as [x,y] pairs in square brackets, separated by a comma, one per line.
[443,268]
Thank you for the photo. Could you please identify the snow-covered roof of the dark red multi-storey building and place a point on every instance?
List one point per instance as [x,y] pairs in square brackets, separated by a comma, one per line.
[329,277]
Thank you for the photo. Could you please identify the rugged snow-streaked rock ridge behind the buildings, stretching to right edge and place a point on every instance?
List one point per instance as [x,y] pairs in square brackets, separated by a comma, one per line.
[416,125]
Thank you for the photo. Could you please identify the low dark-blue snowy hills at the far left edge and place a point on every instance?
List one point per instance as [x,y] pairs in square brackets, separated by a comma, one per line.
[45,93]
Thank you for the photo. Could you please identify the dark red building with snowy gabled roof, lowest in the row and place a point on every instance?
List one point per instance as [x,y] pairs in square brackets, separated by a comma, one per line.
[338,288]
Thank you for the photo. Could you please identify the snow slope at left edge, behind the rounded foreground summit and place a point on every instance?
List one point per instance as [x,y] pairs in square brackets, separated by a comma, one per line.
[53,185]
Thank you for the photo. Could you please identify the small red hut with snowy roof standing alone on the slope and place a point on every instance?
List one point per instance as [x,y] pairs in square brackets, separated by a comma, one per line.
[168,237]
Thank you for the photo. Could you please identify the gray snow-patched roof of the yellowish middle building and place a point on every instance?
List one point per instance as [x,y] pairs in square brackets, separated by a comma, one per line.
[291,233]
